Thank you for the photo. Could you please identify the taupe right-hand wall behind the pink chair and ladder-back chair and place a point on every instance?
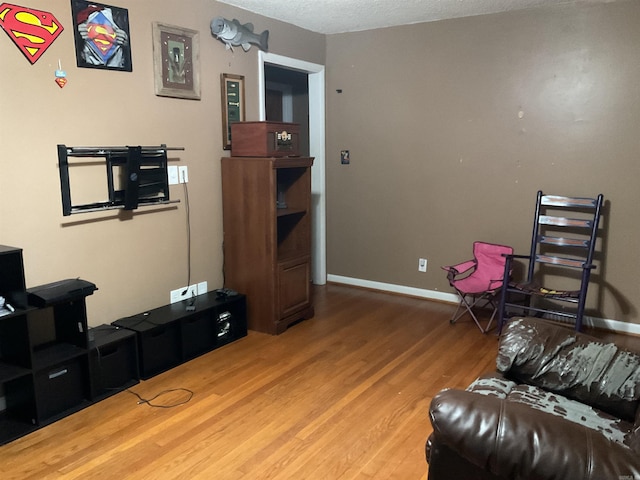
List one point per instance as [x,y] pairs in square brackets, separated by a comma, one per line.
[454,125]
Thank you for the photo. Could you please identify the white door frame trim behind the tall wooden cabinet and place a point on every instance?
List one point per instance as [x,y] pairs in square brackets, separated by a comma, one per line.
[317,134]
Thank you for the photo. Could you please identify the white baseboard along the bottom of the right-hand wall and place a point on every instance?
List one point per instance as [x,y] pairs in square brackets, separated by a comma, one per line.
[602,323]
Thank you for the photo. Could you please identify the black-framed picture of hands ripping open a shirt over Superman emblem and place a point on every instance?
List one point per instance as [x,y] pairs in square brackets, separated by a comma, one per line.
[101,35]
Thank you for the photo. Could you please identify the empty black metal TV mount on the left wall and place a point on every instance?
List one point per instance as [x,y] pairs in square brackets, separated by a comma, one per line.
[136,176]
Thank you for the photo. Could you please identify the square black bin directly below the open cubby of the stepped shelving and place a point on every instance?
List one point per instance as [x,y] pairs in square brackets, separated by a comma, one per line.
[59,388]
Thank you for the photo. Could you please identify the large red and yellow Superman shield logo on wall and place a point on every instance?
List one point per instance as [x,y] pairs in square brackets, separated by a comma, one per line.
[33,31]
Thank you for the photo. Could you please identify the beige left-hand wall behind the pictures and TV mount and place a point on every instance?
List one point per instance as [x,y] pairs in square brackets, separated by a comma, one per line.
[135,260]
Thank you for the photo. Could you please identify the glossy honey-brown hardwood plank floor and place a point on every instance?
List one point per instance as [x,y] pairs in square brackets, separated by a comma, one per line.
[344,395]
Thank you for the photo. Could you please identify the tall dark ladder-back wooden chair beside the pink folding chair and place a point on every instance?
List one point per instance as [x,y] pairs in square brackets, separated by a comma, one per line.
[562,248]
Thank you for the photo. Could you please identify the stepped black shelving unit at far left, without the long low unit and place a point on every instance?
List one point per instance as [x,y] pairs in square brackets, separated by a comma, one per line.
[48,366]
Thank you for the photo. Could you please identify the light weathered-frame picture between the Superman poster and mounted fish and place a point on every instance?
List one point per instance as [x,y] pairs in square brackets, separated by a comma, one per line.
[176,61]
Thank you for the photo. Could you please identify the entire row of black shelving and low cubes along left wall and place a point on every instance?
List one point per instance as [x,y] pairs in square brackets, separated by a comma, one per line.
[52,364]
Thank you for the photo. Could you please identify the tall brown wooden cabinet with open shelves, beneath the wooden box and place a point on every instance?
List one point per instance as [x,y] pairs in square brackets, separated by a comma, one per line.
[267,238]
